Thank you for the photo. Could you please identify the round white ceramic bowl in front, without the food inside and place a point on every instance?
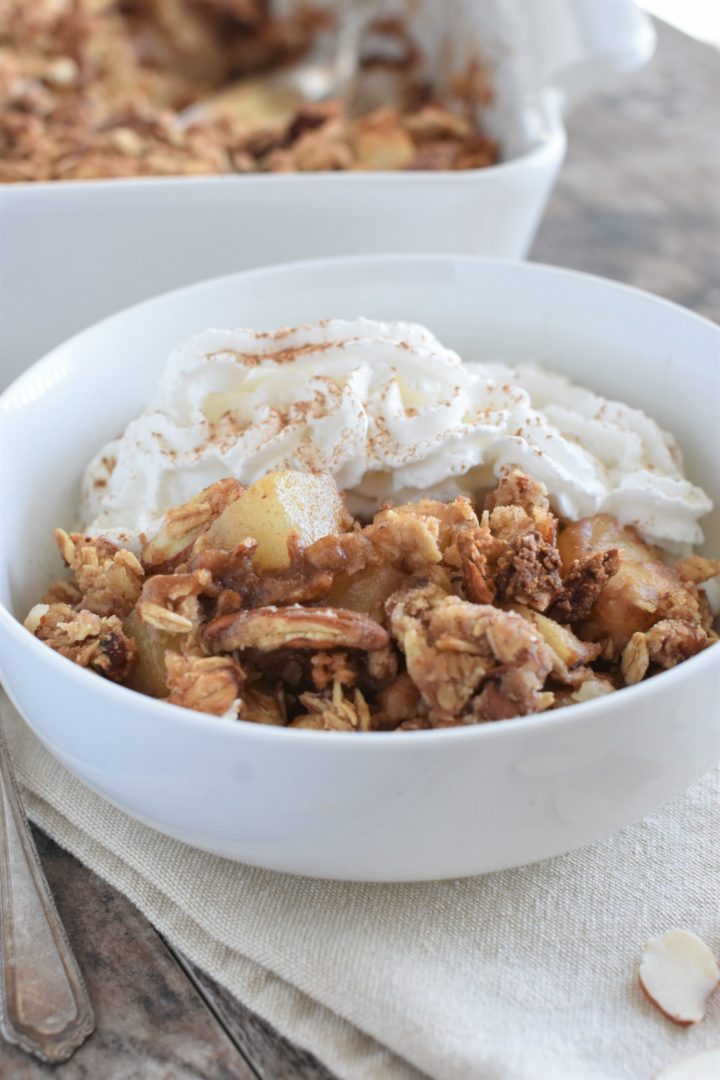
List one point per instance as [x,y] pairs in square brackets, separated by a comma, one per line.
[373,807]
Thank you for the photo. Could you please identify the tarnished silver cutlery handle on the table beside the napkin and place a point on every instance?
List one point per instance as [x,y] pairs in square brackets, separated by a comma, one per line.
[45,1008]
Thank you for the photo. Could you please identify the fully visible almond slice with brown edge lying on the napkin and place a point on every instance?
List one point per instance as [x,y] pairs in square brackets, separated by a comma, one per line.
[678,974]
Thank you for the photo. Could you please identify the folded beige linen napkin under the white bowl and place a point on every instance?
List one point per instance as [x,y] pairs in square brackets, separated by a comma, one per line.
[526,975]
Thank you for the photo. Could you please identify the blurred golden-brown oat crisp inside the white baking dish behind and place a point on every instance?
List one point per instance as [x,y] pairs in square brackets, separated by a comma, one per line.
[93,89]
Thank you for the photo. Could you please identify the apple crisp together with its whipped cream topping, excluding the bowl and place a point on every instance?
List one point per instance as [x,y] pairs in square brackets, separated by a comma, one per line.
[269,602]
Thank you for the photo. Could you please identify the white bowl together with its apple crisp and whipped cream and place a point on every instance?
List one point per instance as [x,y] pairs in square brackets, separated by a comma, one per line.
[505,543]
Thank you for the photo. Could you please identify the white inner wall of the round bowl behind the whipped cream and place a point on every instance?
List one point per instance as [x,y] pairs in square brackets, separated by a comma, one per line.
[619,342]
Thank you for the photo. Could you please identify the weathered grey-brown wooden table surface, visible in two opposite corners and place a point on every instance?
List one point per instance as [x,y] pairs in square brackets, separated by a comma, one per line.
[639,201]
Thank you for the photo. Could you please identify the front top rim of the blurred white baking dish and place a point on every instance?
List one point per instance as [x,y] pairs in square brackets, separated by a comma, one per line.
[551,145]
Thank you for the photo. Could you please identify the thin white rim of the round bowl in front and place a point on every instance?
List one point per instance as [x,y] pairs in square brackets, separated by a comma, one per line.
[580,713]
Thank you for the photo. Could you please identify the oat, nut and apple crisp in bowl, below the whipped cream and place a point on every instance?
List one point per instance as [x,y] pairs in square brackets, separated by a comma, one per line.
[431,616]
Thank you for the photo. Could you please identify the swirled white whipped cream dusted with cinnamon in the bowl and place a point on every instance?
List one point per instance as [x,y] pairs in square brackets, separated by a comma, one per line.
[393,415]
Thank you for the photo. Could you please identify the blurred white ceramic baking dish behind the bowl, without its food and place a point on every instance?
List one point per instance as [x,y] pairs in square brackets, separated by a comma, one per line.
[76,251]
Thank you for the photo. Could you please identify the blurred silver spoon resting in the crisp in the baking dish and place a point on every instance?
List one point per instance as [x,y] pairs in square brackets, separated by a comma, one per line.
[270,101]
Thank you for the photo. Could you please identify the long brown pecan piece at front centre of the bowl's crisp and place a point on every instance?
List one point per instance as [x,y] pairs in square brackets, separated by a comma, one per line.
[296,628]
